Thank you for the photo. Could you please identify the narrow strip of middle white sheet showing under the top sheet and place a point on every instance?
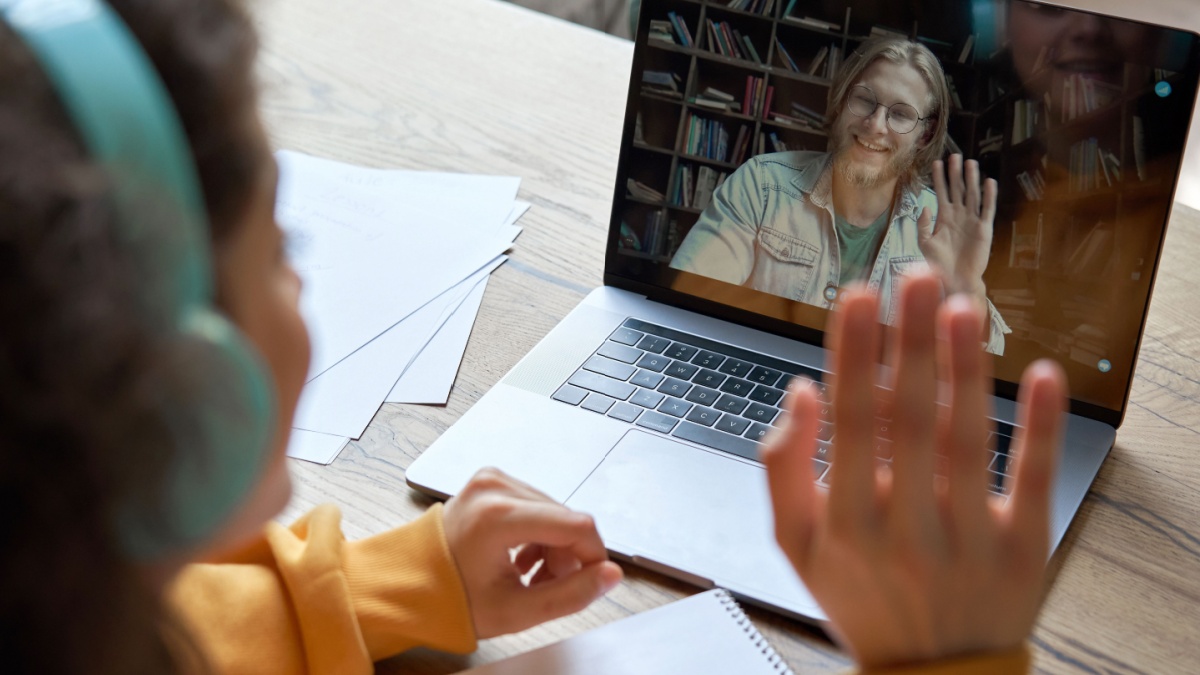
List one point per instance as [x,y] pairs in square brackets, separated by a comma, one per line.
[345,399]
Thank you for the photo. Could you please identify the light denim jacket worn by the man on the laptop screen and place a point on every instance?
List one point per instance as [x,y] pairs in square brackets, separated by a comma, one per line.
[771,228]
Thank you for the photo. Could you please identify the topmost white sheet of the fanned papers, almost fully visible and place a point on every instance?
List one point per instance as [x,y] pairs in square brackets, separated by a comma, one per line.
[375,246]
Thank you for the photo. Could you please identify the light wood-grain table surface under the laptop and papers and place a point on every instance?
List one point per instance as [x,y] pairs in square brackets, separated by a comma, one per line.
[484,87]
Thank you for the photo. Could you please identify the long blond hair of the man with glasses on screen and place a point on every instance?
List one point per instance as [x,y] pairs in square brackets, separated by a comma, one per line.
[920,58]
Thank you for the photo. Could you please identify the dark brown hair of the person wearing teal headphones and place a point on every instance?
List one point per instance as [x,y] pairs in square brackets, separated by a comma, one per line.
[82,369]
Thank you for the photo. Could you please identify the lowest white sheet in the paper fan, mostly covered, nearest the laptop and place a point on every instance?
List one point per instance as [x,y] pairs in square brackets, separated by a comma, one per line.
[431,375]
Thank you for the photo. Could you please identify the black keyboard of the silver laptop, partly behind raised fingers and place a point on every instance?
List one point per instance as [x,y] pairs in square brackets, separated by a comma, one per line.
[717,396]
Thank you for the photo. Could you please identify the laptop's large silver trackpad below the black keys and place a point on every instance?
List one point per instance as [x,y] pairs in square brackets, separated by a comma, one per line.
[697,511]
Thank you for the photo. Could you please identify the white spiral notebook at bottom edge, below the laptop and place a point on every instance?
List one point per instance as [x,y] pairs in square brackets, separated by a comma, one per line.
[704,634]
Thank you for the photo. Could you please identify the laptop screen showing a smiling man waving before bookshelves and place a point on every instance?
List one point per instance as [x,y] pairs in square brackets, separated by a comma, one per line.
[778,152]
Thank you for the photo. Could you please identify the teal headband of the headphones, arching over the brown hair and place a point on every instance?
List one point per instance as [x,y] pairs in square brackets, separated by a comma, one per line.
[125,118]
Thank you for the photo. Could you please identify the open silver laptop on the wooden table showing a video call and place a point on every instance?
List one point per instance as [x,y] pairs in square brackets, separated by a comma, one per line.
[646,407]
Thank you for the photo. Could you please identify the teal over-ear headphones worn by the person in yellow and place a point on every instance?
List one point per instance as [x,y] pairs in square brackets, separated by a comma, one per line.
[223,434]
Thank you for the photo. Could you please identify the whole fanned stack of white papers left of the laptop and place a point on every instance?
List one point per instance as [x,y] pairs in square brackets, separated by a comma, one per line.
[394,266]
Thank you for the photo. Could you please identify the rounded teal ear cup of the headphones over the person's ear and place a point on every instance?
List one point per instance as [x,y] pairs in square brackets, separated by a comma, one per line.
[223,428]
